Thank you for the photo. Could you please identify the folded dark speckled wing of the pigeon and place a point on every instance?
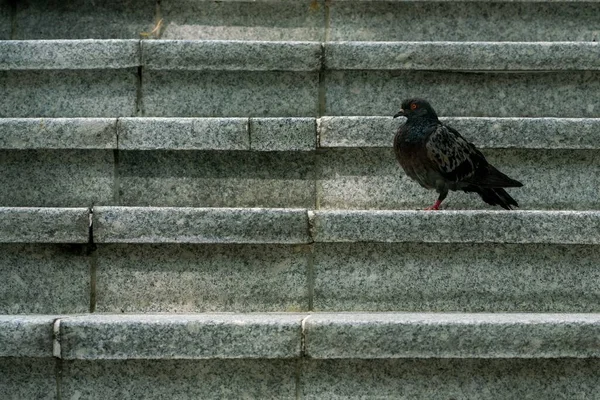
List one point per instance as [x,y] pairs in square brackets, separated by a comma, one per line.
[455,158]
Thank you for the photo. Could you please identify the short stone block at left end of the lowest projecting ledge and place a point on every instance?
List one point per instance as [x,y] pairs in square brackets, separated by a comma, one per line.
[26,336]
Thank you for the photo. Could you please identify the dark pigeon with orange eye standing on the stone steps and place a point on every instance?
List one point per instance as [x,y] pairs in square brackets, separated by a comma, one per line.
[438,157]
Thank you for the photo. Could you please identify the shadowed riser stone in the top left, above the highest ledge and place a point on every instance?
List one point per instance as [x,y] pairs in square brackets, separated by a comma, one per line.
[84,19]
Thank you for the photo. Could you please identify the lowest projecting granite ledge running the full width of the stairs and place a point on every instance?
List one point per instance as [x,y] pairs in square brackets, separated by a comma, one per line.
[315,335]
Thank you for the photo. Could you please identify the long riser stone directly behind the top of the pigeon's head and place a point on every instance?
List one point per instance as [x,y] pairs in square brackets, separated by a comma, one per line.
[466,94]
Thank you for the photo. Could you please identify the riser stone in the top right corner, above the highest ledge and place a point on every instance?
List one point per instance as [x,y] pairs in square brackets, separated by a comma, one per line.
[480,21]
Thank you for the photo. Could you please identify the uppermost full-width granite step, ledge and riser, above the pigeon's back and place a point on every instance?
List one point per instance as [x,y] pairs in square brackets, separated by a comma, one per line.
[277,84]
